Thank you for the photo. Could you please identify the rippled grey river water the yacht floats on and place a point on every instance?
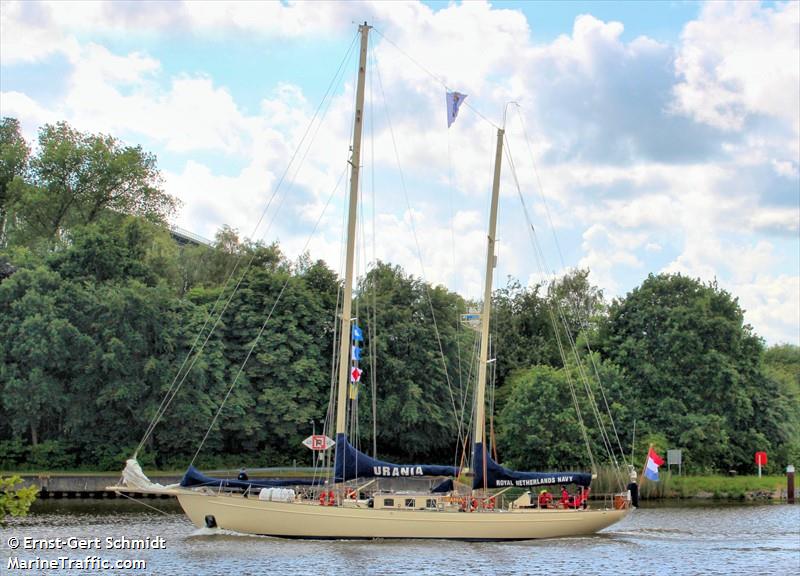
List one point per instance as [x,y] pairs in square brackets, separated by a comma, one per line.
[669,540]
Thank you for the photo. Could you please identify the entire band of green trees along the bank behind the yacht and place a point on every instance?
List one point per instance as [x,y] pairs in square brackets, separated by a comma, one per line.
[104,308]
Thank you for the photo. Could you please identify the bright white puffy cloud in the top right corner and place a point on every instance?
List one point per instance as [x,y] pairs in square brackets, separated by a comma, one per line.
[741,59]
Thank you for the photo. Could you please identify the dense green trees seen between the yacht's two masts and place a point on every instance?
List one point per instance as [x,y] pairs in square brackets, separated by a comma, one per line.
[414,402]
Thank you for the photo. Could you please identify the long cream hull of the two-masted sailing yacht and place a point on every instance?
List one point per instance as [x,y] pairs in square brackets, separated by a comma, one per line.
[309,520]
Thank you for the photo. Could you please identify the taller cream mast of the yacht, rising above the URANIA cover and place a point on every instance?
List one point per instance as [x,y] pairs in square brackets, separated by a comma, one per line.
[347,298]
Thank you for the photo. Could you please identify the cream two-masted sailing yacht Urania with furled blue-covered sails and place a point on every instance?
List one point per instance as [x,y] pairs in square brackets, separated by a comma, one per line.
[350,505]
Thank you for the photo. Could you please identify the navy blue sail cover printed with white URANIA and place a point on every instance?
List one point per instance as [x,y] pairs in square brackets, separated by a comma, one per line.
[350,464]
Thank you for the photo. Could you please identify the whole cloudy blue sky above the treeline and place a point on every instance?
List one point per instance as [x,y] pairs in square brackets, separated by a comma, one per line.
[646,137]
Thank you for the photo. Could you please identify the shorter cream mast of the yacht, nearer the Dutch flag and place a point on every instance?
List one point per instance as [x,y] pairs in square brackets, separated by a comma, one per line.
[480,396]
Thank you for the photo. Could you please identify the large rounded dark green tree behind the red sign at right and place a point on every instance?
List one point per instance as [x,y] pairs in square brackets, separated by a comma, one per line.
[693,370]
